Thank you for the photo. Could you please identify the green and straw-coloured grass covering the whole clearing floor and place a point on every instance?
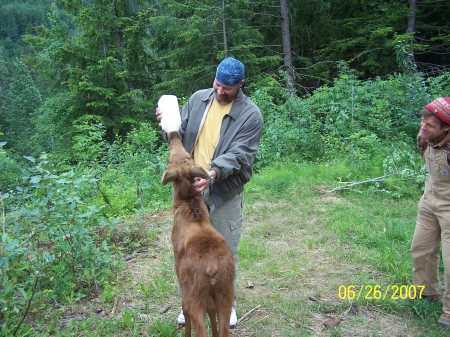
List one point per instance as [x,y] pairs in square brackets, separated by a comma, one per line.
[300,244]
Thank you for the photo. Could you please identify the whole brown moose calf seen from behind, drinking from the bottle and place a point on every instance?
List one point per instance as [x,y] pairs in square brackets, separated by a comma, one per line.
[204,264]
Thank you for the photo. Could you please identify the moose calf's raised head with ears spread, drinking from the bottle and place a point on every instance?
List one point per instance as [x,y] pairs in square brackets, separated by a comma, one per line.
[182,170]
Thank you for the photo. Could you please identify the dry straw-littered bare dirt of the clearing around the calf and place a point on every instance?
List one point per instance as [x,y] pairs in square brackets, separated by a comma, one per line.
[300,303]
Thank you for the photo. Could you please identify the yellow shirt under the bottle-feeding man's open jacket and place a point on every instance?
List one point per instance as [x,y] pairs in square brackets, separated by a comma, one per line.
[209,134]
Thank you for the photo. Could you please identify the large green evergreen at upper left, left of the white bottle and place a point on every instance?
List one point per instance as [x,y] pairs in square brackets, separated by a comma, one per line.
[99,62]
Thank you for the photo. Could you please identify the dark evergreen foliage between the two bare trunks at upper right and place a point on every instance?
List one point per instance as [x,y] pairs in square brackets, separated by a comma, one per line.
[358,32]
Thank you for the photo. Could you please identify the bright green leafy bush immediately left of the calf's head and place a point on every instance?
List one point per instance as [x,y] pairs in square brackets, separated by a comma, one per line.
[132,177]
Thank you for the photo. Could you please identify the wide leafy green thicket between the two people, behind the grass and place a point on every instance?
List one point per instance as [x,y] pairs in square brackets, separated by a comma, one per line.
[353,119]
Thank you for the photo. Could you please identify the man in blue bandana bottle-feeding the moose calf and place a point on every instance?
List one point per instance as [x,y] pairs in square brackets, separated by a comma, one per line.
[221,128]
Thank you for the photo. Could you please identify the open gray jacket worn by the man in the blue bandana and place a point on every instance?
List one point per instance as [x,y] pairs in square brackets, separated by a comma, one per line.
[238,143]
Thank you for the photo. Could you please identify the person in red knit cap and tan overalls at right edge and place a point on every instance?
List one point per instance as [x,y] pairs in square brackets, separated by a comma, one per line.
[433,219]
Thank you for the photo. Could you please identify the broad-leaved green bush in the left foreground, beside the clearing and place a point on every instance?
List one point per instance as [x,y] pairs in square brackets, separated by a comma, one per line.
[51,248]
